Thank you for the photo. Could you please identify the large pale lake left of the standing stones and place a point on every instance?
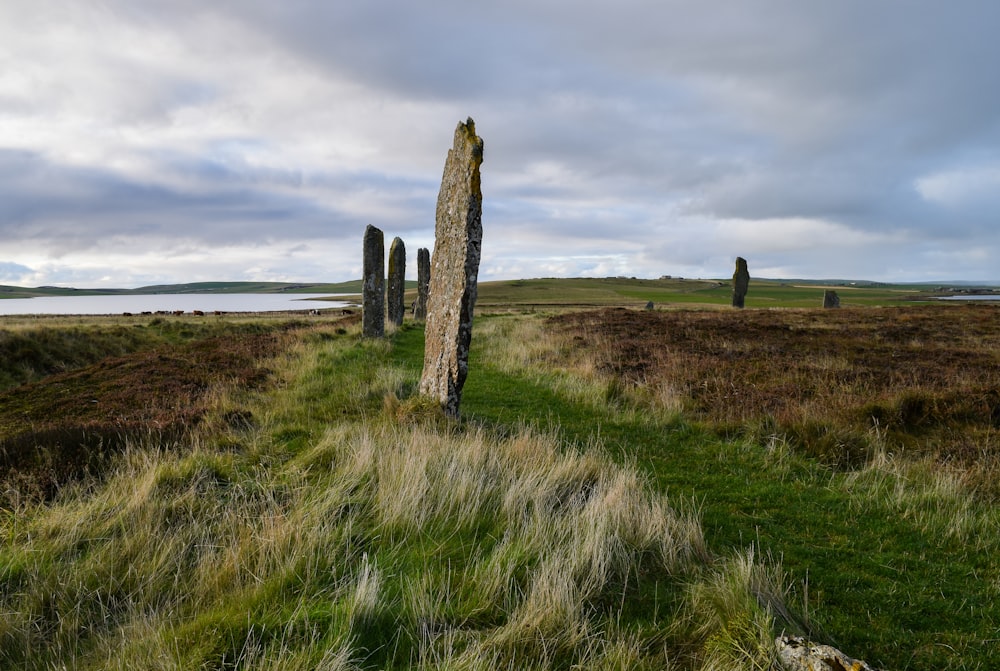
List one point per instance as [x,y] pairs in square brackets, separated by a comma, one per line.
[137,304]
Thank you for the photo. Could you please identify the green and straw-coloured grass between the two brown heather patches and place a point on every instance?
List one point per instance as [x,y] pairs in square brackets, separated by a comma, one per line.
[566,522]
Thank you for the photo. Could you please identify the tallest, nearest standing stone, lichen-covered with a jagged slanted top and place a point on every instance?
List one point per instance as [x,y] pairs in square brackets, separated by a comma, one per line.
[458,234]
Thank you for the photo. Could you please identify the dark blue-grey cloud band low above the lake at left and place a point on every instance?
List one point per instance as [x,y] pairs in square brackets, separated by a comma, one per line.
[63,207]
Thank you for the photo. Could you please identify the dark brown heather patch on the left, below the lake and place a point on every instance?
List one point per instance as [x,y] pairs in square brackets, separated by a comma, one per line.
[68,424]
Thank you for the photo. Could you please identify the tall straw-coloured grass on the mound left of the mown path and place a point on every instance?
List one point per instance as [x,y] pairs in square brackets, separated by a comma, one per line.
[321,532]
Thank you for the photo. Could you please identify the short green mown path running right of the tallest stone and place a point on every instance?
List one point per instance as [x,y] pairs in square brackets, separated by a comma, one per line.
[903,585]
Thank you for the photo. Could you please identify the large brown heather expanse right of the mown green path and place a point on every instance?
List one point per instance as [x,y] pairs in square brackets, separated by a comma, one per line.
[921,380]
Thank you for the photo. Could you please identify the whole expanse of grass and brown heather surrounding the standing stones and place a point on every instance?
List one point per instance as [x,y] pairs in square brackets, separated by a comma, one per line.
[601,504]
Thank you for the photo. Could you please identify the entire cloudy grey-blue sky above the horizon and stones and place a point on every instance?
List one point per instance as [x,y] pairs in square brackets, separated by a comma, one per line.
[152,141]
